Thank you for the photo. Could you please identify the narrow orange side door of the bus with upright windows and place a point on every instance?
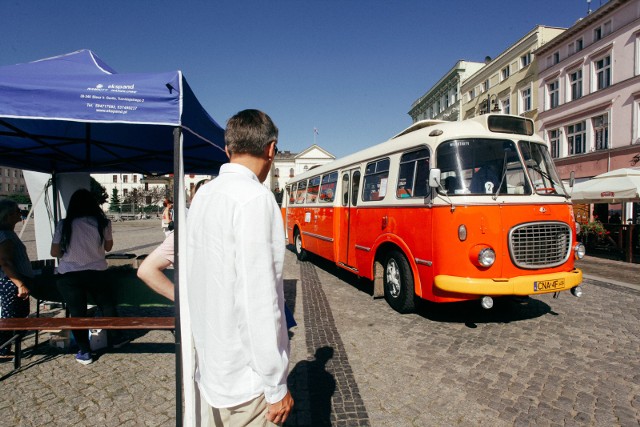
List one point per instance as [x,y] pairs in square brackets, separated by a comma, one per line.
[350,187]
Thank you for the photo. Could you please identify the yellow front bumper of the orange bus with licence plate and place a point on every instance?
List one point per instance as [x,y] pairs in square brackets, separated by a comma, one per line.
[521,285]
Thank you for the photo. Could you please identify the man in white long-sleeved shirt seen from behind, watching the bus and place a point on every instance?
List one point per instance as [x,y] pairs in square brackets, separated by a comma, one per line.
[235,256]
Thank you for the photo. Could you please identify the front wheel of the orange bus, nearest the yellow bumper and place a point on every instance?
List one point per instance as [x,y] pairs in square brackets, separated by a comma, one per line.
[398,283]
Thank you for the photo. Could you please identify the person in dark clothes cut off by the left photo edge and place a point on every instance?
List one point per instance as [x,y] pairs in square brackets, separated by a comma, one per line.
[16,274]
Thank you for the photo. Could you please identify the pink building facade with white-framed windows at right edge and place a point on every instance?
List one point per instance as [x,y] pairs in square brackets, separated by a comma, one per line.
[589,87]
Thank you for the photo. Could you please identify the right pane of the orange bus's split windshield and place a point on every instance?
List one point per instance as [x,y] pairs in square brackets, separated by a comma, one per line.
[540,168]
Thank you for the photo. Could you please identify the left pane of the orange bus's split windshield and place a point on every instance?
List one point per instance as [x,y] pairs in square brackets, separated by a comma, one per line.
[481,166]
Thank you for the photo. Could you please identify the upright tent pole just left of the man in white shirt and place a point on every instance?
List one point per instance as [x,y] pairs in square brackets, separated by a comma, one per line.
[177,171]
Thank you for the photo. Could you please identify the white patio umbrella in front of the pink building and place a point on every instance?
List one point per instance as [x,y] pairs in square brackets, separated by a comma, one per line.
[620,185]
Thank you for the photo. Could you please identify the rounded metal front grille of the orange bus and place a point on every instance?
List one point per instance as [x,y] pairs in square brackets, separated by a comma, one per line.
[540,244]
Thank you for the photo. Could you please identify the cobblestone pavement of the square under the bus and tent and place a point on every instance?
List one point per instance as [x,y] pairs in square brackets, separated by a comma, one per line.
[354,361]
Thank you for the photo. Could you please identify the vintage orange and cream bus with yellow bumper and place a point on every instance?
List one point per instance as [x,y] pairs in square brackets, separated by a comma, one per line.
[443,211]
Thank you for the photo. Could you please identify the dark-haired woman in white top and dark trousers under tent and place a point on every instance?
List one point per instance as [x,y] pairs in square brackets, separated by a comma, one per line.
[80,241]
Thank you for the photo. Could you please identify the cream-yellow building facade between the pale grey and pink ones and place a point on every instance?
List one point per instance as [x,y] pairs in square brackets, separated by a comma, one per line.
[508,83]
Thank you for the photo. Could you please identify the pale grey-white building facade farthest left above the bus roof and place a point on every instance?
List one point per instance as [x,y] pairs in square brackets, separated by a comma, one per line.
[443,101]
